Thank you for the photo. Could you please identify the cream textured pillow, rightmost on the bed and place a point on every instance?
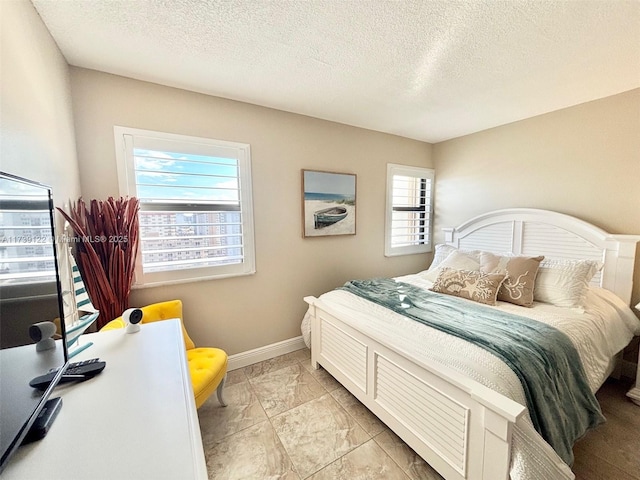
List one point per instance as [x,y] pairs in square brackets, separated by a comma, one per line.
[564,282]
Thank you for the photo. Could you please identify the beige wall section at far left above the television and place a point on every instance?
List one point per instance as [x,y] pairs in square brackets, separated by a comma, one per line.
[37,139]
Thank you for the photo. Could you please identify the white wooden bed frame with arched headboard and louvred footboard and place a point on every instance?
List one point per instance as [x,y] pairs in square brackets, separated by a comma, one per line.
[460,427]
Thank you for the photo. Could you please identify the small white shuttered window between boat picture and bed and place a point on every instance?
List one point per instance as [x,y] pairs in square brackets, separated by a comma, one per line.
[409,210]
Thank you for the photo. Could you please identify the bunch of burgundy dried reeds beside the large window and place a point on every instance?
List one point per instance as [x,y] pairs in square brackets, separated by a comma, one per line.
[106,236]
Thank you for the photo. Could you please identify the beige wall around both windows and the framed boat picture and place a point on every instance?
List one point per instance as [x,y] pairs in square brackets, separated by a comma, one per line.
[243,313]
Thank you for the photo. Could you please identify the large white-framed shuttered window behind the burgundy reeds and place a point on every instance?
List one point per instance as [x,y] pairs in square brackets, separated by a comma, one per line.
[196,214]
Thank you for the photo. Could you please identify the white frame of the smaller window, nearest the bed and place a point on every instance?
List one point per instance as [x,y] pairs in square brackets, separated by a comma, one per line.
[416,172]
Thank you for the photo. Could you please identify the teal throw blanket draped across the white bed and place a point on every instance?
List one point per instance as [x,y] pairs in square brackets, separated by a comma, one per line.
[559,399]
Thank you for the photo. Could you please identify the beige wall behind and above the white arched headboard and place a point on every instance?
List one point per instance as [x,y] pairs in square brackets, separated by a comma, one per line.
[583,161]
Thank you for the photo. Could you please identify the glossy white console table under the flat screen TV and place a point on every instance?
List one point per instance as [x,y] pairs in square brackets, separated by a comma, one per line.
[135,420]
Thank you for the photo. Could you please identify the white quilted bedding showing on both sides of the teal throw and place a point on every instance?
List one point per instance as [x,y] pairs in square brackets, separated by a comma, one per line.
[606,327]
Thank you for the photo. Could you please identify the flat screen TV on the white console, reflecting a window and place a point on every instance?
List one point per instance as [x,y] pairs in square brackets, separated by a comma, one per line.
[30,293]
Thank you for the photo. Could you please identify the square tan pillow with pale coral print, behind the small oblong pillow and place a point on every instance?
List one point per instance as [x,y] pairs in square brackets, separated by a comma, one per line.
[521,276]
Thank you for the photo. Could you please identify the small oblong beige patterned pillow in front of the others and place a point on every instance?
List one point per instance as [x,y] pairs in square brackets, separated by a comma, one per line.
[470,284]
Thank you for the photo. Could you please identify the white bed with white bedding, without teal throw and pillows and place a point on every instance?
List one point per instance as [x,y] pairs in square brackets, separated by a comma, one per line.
[457,405]
